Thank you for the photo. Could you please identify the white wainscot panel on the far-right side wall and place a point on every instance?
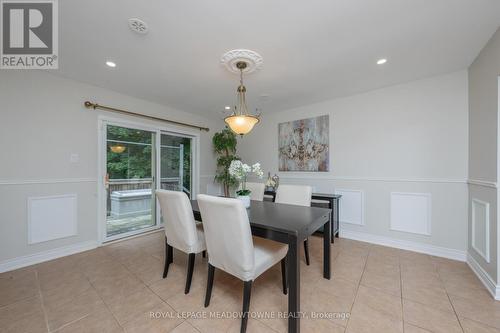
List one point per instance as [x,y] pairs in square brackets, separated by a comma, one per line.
[481,228]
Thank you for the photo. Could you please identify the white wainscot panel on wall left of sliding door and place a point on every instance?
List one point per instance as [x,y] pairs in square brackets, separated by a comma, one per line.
[51,217]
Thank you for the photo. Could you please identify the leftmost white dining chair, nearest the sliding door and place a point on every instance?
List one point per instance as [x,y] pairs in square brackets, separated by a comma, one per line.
[181,230]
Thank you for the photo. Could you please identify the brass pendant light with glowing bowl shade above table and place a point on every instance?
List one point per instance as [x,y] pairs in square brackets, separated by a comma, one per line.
[240,121]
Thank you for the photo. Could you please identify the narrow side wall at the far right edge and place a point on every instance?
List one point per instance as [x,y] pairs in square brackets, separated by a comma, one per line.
[483,155]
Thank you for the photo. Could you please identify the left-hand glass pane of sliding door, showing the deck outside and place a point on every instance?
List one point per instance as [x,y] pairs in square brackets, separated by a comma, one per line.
[130,169]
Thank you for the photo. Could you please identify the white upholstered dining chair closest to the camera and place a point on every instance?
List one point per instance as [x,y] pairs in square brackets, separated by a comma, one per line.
[232,248]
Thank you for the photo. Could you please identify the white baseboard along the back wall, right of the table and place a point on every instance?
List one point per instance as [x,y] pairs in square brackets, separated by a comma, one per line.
[405,245]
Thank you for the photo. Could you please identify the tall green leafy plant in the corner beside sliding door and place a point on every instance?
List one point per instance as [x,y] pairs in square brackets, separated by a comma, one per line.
[224,143]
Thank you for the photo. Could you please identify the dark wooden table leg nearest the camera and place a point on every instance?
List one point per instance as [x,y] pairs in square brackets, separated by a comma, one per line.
[293,262]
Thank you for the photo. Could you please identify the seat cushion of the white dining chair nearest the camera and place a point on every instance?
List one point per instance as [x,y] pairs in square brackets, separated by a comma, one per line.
[267,254]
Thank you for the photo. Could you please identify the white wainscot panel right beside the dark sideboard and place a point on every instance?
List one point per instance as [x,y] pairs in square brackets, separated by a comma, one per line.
[352,206]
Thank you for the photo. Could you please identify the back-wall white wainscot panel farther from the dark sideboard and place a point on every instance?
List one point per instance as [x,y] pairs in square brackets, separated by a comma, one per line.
[411,212]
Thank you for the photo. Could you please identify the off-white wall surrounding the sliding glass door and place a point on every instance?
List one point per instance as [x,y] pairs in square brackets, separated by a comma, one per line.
[42,122]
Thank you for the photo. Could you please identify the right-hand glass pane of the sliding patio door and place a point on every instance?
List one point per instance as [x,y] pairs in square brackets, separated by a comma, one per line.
[176,163]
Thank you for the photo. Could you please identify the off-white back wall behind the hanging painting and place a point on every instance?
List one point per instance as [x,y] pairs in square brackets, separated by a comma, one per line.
[409,138]
